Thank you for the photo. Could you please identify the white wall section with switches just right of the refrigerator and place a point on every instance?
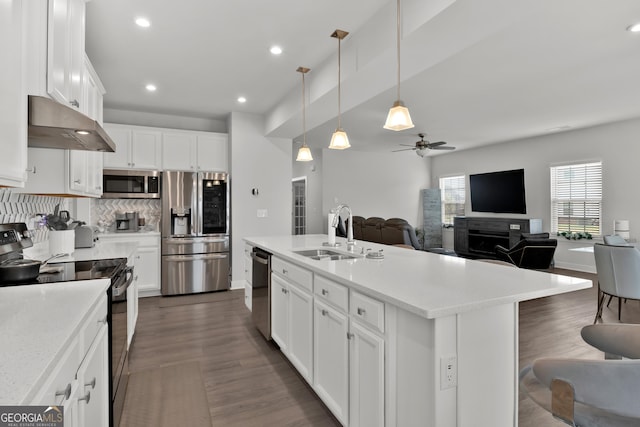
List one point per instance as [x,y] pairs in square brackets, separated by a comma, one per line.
[262,163]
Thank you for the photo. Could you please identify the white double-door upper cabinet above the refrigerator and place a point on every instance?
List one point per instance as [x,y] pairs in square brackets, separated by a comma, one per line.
[192,151]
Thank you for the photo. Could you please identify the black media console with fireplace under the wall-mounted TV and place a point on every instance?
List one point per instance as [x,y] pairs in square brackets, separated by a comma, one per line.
[477,237]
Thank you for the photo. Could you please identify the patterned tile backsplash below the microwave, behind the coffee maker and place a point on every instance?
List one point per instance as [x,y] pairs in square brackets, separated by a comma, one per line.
[103,212]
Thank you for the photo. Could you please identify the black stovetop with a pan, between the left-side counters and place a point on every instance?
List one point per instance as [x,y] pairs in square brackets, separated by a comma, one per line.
[78,270]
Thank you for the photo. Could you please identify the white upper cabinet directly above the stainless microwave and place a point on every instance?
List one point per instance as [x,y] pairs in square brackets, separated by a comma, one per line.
[136,147]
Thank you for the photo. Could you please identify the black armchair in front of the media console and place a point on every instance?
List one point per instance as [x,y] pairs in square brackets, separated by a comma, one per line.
[534,253]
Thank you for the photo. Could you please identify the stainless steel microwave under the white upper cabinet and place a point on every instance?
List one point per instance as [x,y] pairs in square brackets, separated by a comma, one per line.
[130,184]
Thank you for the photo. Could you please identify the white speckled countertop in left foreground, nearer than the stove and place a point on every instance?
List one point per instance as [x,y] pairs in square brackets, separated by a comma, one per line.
[37,323]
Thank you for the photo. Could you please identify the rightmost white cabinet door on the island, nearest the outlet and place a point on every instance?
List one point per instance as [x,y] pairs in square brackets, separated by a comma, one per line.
[366,382]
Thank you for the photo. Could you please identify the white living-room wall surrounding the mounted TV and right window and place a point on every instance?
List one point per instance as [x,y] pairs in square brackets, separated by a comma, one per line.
[616,145]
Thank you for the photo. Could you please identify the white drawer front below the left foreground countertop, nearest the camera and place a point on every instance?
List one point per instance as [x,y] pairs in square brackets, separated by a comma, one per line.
[63,378]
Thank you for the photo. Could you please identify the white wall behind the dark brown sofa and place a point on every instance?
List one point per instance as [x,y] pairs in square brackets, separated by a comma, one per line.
[375,184]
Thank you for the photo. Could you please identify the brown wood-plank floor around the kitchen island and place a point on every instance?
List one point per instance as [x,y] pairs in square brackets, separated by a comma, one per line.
[248,382]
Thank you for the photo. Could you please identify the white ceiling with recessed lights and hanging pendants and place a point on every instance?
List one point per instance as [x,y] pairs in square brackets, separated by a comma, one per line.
[474,74]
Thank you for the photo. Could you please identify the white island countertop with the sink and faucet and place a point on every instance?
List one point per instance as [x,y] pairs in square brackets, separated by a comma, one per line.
[424,283]
